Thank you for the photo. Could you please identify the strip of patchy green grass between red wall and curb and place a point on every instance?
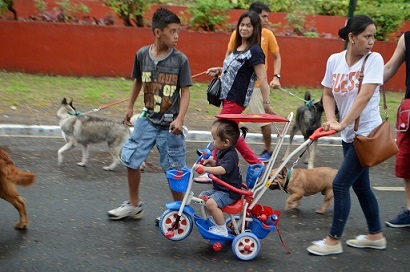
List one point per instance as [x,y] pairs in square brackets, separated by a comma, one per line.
[46,92]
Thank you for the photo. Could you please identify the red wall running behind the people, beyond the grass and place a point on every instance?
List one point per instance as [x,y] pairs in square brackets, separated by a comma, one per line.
[109,51]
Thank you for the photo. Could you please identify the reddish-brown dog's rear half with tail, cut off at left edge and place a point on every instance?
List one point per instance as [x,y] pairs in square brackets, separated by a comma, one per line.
[9,176]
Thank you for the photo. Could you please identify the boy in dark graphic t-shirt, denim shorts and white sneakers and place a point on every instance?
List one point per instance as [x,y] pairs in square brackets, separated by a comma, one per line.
[163,74]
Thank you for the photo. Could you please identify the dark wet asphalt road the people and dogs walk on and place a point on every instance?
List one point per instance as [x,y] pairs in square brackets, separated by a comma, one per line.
[69,229]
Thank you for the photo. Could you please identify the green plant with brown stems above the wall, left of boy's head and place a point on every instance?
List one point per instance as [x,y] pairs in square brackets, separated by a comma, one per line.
[129,10]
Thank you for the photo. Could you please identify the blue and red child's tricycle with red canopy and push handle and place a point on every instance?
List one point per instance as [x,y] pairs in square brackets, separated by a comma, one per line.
[248,222]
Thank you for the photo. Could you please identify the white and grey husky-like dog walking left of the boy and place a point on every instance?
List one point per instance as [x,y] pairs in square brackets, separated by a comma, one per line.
[87,129]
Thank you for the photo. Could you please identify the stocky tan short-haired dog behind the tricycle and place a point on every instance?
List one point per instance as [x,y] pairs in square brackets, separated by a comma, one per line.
[305,182]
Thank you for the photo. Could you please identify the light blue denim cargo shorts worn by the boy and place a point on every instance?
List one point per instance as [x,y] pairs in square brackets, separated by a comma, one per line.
[171,148]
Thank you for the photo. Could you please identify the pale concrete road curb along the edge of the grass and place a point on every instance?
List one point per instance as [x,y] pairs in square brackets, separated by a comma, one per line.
[193,135]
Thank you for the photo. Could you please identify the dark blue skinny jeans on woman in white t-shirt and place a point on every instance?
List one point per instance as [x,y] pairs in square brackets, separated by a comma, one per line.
[352,174]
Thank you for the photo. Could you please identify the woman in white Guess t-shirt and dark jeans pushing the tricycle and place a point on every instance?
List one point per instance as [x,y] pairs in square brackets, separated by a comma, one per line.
[341,83]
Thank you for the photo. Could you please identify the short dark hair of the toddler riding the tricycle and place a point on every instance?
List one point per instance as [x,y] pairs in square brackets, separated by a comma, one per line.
[229,130]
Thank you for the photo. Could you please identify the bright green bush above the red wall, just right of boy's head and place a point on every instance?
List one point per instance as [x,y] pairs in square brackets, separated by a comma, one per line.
[209,15]
